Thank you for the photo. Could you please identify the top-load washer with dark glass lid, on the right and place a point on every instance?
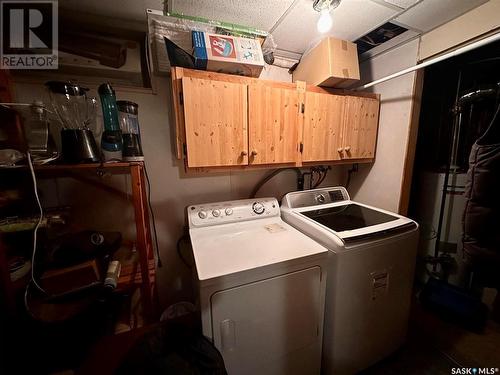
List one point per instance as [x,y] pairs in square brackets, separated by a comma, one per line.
[370,274]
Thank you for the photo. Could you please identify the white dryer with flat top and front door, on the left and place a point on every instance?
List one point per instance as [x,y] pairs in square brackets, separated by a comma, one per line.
[261,287]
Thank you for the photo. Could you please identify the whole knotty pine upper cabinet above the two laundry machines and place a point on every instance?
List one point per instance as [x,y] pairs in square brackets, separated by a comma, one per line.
[225,120]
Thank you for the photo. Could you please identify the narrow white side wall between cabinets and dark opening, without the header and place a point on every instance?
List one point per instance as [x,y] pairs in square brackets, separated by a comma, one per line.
[379,184]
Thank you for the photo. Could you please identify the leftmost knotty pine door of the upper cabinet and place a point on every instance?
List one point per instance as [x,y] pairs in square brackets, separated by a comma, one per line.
[215,115]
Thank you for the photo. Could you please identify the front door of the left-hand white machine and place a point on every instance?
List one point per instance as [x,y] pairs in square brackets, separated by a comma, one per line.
[273,326]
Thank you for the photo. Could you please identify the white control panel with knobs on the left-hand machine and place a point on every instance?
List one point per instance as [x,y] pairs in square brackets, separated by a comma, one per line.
[232,211]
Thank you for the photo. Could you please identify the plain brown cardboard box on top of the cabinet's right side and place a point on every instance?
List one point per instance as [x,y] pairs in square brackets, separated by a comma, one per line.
[332,63]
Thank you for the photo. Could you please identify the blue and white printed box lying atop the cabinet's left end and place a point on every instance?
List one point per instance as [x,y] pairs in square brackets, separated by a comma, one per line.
[227,54]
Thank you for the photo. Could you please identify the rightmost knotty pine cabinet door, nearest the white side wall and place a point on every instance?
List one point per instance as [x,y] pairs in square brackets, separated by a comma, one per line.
[360,130]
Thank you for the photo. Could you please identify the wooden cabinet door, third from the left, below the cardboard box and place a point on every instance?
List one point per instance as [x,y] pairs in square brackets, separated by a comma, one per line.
[323,122]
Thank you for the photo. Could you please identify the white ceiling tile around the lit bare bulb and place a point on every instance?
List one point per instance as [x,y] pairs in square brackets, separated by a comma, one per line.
[352,19]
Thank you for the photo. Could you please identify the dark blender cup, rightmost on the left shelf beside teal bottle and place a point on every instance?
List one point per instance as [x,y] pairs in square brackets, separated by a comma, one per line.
[129,124]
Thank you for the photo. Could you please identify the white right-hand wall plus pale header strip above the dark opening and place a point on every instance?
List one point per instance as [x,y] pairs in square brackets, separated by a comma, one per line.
[380,184]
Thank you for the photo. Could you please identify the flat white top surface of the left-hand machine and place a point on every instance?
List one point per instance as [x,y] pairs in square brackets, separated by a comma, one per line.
[238,247]
